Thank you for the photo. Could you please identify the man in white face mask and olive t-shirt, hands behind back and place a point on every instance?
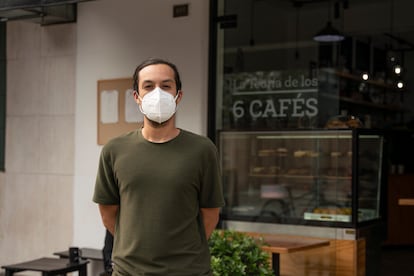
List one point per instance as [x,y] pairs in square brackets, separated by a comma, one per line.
[158,188]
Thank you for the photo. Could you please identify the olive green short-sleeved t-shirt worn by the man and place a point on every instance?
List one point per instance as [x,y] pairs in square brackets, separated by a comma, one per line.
[160,188]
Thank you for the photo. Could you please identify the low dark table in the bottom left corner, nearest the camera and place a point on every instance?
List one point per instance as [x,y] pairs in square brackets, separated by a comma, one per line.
[48,267]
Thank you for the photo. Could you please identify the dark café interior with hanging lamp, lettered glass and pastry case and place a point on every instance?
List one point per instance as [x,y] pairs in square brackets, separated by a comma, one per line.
[314,119]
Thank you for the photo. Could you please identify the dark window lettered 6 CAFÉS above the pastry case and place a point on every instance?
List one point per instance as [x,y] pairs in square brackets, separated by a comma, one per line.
[270,73]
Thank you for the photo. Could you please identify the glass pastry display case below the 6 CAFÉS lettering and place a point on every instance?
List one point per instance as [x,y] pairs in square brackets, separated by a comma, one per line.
[331,177]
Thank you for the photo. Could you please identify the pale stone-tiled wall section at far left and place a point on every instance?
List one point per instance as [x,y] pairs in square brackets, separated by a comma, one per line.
[36,189]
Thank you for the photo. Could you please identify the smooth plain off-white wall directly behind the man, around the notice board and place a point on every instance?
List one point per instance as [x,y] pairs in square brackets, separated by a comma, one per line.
[113,38]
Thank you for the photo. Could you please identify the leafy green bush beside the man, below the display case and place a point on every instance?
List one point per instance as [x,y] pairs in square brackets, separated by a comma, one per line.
[236,253]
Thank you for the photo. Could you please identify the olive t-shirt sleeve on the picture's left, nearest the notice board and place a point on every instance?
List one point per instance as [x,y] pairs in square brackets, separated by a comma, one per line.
[106,188]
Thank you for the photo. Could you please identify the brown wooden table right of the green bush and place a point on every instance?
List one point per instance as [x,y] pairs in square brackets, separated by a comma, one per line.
[279,244]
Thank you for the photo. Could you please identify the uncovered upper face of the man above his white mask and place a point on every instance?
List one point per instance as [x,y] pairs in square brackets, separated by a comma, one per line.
[158,75]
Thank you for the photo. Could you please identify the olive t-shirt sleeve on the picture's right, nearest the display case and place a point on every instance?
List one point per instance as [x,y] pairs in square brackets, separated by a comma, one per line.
[211,192]
